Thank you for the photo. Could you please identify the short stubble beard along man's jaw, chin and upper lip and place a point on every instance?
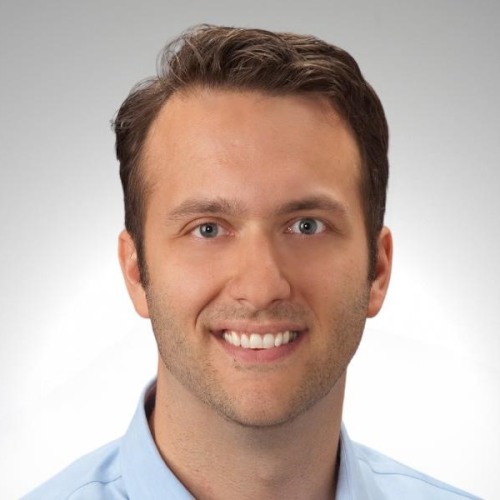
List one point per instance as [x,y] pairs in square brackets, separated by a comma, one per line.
[201,379]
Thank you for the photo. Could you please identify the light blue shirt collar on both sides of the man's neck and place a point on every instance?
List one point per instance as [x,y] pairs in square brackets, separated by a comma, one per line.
[147,476]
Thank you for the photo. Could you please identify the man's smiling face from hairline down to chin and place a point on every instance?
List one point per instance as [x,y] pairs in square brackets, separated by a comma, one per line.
[256,251]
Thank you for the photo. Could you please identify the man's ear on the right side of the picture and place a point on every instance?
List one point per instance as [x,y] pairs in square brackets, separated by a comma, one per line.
[383,268]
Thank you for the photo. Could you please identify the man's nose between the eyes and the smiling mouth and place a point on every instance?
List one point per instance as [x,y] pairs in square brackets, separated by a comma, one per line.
[258,280]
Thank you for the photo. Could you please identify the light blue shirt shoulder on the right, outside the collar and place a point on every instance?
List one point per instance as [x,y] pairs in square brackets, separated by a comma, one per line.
[396,480]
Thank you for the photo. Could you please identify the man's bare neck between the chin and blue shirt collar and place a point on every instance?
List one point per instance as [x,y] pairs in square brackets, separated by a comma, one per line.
[217,459]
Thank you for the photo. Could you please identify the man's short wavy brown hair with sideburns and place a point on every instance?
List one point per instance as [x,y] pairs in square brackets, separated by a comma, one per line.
[254,59]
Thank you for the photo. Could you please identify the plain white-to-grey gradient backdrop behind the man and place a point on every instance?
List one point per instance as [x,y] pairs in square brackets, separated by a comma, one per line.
[425,385]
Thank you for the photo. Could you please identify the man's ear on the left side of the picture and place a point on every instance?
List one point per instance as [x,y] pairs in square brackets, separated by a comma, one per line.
[127,254]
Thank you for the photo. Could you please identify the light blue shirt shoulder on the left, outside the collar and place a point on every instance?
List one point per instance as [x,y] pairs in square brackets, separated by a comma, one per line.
[94,476]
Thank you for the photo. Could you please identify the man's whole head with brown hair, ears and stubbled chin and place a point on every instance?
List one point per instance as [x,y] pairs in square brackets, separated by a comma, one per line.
[253,169]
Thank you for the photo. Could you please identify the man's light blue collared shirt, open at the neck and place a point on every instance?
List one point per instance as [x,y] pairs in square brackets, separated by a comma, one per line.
[132,468]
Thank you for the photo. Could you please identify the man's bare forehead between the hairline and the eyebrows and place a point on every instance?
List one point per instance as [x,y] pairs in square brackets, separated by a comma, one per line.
[248,140]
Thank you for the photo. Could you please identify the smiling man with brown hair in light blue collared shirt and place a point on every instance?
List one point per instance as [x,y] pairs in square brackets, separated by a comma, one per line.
[254,170]
